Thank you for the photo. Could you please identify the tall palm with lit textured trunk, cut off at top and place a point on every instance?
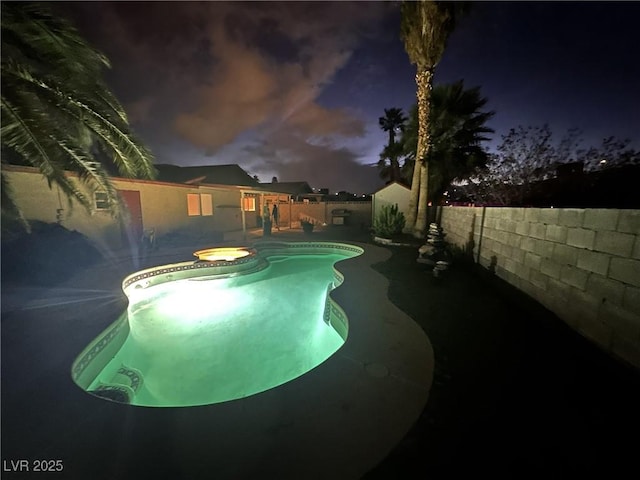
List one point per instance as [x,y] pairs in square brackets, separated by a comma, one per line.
[425,28]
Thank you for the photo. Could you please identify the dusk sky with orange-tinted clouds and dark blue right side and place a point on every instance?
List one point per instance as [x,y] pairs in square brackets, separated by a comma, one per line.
[295,89]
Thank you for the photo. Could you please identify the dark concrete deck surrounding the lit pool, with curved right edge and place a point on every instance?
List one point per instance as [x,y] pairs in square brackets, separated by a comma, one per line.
[337,421]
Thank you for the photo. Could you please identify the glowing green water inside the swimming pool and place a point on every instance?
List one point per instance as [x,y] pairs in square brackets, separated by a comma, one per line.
[207,340]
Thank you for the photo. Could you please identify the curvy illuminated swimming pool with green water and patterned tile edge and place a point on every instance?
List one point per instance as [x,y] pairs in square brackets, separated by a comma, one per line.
[198,333]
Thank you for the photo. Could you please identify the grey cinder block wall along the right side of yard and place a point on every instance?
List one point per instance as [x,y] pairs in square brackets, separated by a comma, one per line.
[582,264]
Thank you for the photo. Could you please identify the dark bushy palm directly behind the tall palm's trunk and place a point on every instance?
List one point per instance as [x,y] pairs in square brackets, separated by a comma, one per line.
[457,129]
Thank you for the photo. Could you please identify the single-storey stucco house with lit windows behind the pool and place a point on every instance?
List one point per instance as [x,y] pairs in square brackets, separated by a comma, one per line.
[200,201]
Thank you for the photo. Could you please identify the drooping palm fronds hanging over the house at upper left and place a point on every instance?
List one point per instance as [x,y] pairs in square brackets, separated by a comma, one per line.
[57,113]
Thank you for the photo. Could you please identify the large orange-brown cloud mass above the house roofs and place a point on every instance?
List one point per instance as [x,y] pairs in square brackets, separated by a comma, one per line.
[220,76]
